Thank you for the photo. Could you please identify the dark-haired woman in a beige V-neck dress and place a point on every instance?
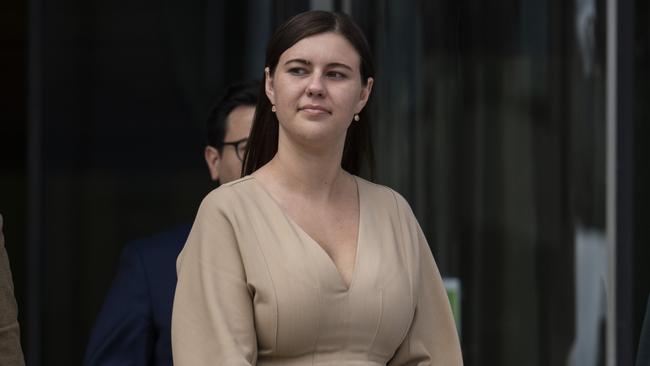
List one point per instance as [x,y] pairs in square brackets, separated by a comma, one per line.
[300,262]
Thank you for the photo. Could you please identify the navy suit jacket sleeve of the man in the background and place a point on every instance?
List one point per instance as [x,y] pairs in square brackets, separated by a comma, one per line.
[123,332]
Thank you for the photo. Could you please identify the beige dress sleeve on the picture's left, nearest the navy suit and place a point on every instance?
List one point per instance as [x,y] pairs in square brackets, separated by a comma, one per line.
[212,316]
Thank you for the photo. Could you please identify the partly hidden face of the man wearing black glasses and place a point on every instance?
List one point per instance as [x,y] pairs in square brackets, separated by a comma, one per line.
[238,126]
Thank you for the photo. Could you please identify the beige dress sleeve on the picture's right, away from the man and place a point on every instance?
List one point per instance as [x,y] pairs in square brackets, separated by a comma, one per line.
[432,338]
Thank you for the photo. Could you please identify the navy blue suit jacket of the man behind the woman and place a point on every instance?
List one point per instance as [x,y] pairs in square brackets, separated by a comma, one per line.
[134,325]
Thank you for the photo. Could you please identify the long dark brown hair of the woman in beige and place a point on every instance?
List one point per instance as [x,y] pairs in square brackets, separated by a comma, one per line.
[263,139]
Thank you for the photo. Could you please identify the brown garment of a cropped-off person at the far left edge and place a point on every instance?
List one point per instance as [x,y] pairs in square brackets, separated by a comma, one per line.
[11,353]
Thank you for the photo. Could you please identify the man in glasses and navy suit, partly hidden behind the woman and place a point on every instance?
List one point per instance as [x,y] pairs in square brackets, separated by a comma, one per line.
[134,325]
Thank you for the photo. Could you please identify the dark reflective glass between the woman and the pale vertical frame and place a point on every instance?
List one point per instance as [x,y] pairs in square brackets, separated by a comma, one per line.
[489,117]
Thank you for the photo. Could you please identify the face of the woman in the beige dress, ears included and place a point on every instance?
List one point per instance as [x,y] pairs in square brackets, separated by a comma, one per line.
[317,89]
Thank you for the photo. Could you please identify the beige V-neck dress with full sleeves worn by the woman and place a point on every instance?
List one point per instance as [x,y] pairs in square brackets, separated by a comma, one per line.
[255,289]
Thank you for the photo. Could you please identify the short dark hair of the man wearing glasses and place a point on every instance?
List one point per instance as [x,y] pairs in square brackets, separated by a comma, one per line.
[235,95]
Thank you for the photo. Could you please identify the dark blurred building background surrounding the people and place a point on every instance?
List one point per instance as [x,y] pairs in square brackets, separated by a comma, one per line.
[515,128]
